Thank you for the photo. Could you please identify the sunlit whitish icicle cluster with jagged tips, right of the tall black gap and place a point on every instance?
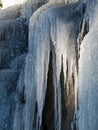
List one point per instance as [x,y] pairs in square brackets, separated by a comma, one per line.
[63,45]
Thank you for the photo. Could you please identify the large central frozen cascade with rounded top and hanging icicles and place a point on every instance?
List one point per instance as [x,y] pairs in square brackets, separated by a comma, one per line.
[51,30]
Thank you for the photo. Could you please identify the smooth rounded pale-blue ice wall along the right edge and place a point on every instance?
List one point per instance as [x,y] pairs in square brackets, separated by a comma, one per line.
[88,75]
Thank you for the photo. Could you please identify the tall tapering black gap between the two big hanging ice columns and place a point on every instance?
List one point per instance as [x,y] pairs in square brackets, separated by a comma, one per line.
[48,110]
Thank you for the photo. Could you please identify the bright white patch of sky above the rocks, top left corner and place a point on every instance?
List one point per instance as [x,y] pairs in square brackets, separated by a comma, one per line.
[7,3]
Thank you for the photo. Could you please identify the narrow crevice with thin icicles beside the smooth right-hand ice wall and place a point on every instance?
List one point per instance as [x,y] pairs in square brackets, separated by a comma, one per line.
[83,31]
